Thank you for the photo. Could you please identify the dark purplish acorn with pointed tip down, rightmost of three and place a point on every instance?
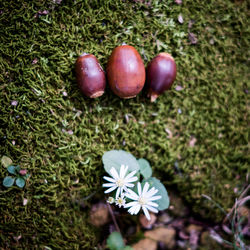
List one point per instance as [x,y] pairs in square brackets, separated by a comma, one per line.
[161,73]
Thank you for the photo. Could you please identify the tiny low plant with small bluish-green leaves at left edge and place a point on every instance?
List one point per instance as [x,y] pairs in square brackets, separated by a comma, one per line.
[19,176]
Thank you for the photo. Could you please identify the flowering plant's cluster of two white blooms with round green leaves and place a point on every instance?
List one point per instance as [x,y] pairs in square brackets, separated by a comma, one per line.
[131,184]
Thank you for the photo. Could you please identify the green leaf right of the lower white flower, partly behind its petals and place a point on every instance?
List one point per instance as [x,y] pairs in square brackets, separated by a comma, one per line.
[164,201]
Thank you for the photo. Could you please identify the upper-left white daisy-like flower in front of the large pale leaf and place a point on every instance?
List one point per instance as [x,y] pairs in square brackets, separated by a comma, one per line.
[119,181]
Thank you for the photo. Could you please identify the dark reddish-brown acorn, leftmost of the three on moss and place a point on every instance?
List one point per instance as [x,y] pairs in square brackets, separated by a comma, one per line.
[90,76]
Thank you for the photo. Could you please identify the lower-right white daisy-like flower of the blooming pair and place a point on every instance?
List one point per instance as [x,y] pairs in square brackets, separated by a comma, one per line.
[142,200]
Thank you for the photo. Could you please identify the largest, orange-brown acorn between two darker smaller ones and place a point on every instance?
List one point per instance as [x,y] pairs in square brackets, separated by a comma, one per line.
[126,72]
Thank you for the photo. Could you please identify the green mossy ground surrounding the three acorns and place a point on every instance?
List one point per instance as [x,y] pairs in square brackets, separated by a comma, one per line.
[65,168]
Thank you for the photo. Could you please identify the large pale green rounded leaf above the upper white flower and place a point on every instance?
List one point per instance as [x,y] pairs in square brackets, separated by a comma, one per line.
[116,158]
